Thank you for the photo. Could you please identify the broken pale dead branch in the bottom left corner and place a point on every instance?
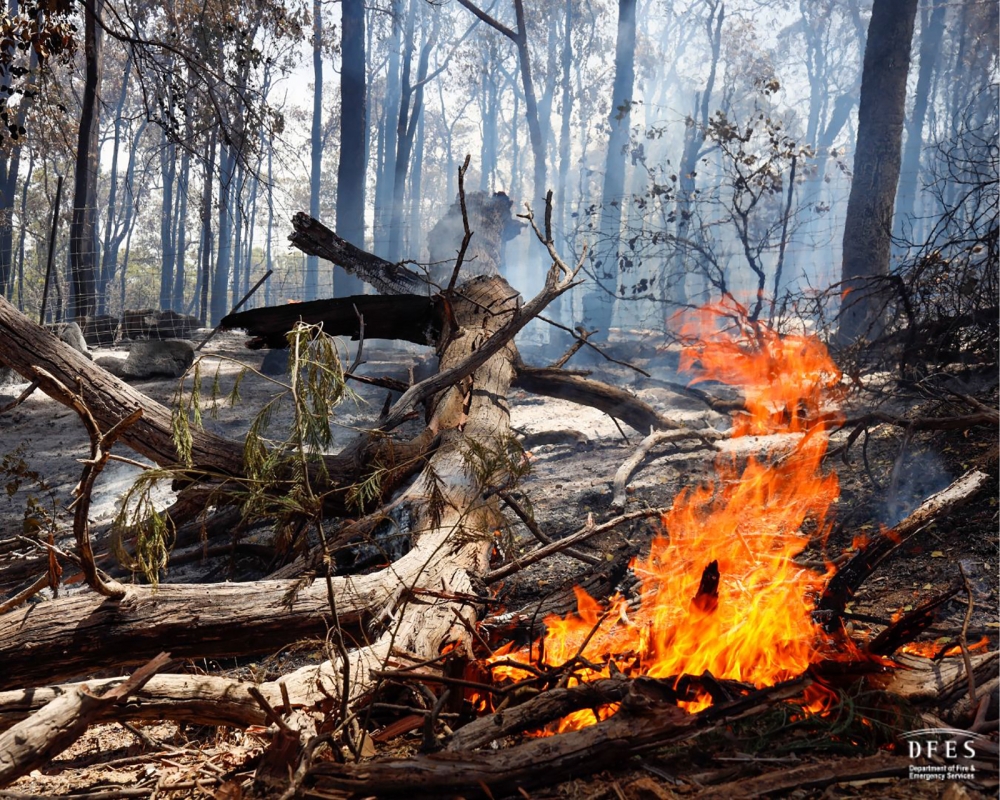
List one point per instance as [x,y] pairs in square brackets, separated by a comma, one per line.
[49,731]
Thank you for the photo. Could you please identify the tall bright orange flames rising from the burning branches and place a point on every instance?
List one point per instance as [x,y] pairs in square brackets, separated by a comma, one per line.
[720,590]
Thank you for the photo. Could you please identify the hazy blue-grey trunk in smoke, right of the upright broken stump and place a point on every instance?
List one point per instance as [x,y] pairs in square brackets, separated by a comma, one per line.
[599,304]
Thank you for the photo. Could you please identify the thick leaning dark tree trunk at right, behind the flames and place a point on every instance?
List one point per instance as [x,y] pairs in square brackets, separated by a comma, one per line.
[868,227]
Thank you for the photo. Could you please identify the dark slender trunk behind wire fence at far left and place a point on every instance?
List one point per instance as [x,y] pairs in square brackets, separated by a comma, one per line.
[83,229]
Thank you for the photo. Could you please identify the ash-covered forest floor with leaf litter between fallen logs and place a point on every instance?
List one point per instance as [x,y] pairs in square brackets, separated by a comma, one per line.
[575,452]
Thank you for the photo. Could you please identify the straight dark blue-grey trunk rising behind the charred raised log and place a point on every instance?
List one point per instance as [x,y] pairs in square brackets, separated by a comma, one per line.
[353,162]
